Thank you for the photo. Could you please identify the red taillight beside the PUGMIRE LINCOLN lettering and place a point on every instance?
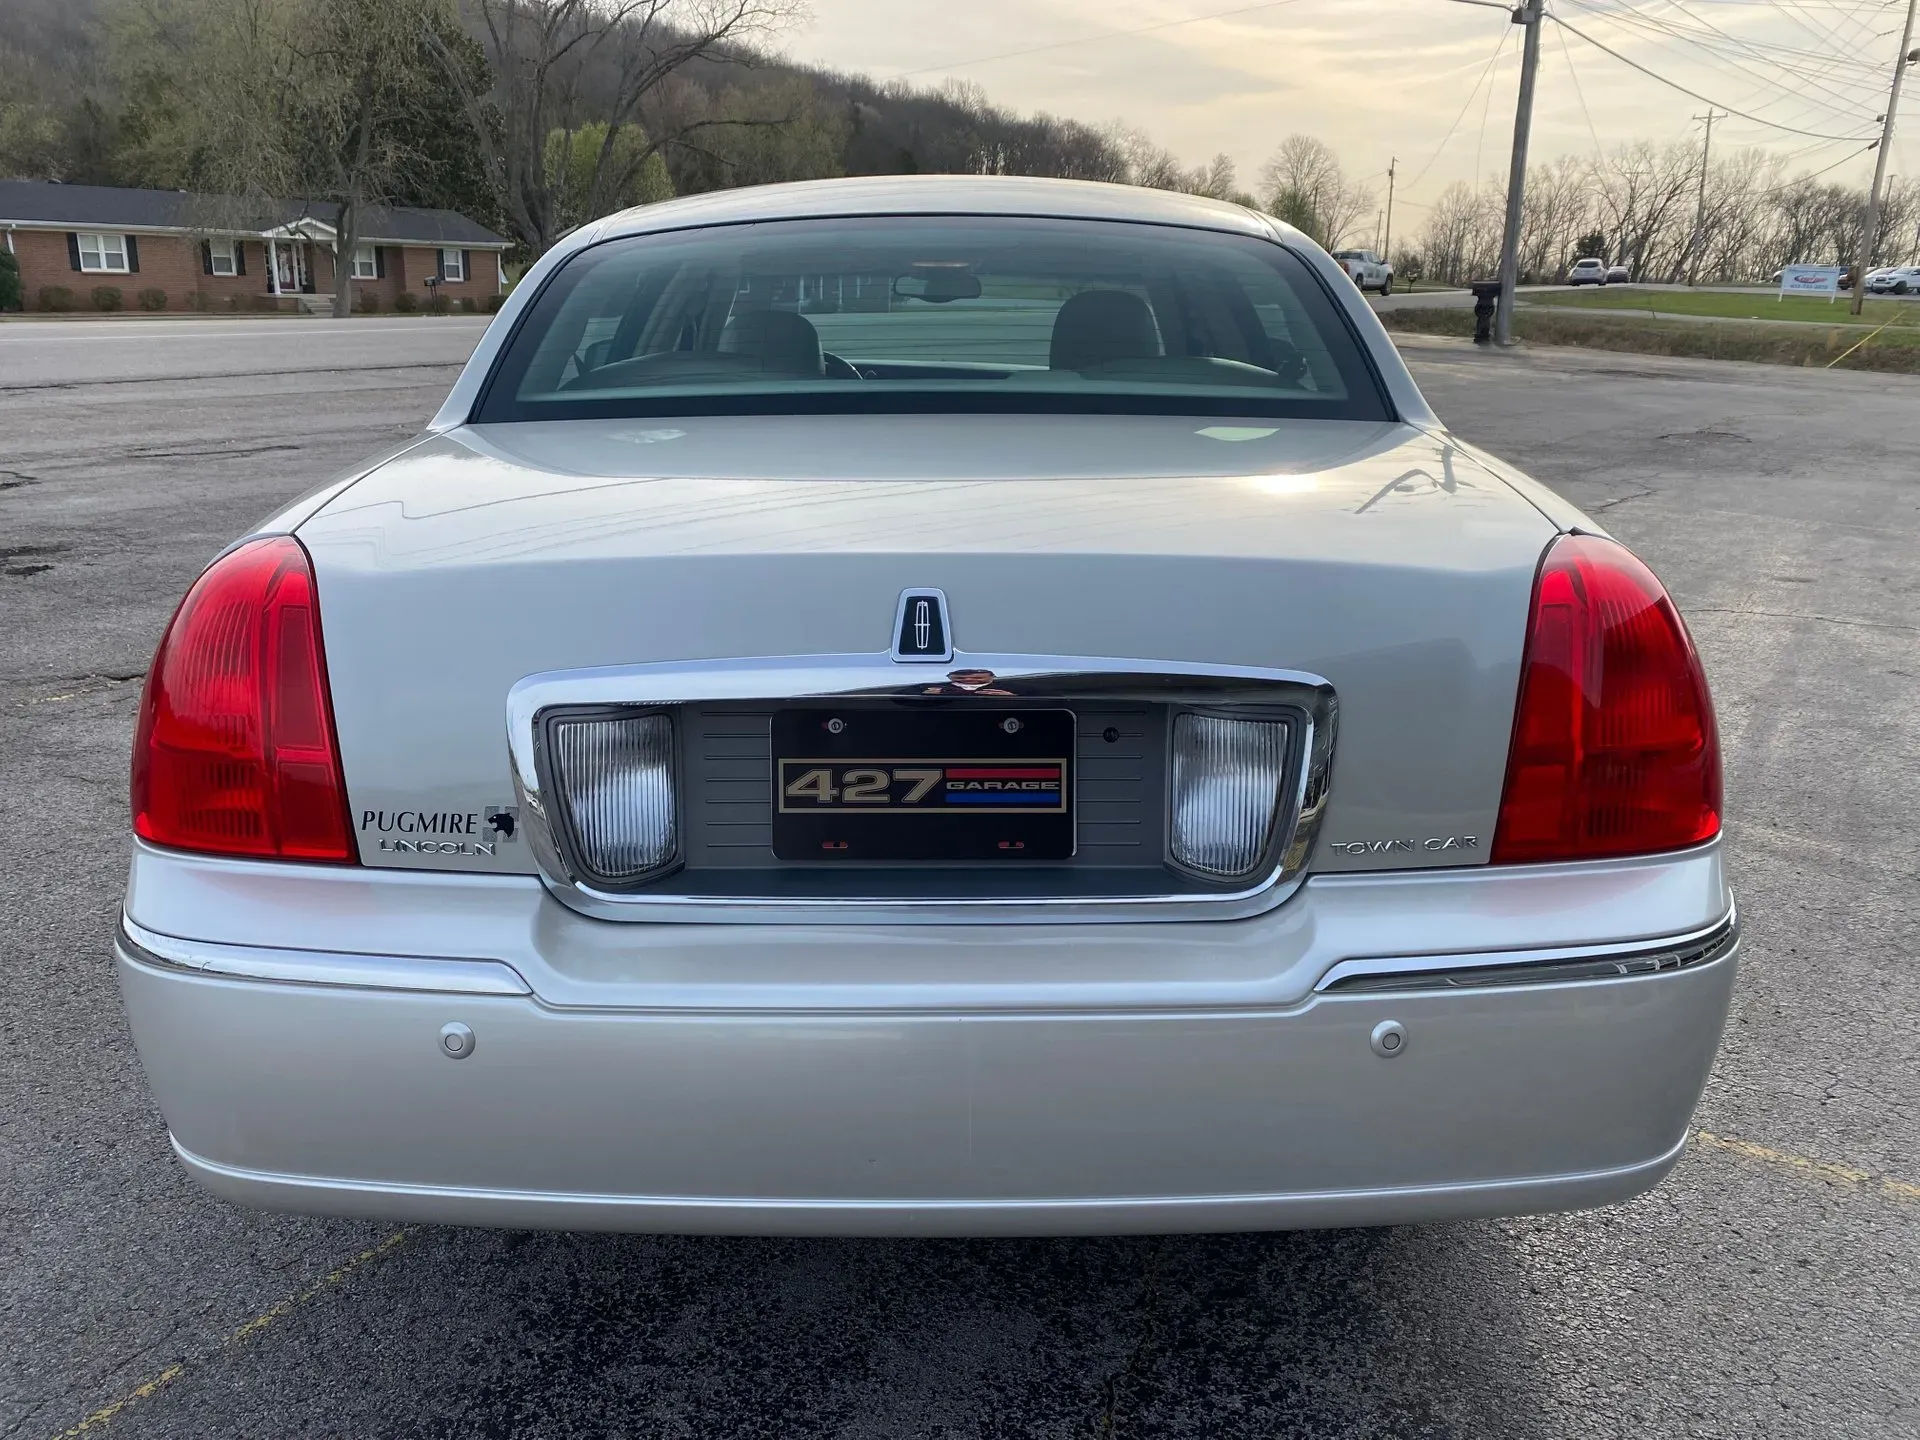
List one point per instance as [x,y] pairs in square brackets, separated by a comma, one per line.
[235,752]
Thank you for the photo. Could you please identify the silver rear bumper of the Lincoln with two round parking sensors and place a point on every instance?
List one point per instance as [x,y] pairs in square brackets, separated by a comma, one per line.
[318,1082]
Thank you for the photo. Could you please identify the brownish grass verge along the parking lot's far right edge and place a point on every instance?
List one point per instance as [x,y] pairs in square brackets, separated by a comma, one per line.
[1777,345]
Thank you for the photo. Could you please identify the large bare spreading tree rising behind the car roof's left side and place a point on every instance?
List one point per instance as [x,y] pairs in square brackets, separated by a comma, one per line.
[562,64]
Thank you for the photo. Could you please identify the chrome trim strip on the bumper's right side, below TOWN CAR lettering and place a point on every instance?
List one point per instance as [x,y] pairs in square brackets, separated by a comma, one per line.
[1449,972]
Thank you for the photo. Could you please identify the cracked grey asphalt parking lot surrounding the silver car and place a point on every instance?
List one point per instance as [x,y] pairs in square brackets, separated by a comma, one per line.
[1767,1289]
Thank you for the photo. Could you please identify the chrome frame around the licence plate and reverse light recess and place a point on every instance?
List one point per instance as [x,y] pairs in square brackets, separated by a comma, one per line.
[876,677]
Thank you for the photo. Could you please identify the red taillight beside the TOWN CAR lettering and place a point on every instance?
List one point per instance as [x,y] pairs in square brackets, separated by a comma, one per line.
[1614,744]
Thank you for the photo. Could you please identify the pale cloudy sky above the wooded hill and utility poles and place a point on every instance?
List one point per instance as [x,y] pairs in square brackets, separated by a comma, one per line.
[1429,82]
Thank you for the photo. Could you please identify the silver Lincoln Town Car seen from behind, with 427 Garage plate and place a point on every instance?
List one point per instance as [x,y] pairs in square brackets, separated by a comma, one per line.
[928,706]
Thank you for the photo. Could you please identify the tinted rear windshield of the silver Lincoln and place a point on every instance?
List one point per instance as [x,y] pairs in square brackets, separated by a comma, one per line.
[934,314]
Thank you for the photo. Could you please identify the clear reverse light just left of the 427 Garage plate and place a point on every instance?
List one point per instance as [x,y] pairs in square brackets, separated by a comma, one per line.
[617,779]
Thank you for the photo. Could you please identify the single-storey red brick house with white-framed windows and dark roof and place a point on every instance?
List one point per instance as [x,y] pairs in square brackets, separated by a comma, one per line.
[210,252]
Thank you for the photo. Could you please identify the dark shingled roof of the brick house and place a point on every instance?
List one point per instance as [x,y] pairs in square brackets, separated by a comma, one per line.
[53,204]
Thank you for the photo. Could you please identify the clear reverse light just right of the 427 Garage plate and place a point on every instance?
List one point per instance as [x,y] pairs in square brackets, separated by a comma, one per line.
[1226,792]
